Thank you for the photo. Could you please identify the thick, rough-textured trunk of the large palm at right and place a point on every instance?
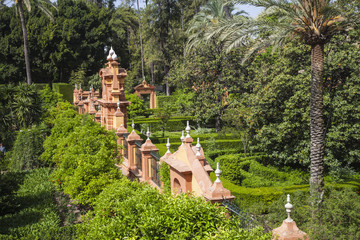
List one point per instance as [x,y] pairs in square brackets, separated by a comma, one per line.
[317,124]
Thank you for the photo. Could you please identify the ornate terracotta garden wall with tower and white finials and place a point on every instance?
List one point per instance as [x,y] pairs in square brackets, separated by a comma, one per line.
[189,170]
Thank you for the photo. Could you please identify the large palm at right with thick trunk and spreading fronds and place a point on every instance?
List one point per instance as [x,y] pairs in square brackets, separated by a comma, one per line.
[315,22]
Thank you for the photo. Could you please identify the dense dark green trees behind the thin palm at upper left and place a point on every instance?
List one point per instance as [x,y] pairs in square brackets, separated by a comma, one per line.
[77,36]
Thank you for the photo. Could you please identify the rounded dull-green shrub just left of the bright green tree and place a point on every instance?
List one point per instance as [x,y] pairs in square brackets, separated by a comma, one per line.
[27,148]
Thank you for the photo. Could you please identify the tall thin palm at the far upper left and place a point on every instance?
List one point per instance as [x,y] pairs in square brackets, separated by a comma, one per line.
[42,4]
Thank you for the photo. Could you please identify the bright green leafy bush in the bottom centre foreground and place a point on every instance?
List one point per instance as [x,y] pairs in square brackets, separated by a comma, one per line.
[137,211]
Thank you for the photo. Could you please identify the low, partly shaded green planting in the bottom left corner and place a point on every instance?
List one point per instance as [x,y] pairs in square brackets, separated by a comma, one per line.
[33,213]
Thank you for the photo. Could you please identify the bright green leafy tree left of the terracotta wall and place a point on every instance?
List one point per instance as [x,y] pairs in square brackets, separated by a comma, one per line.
[84,154]
